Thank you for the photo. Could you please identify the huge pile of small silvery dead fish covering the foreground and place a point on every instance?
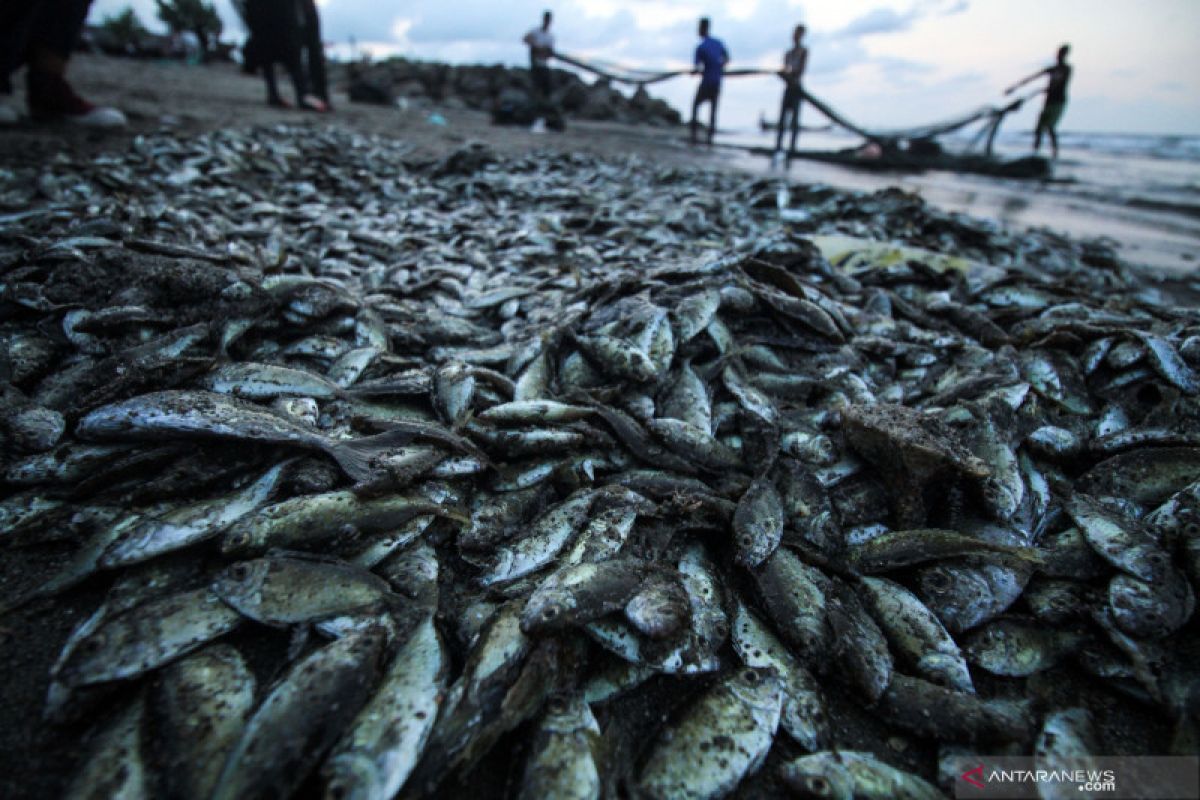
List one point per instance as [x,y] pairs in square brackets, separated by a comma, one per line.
[566,478]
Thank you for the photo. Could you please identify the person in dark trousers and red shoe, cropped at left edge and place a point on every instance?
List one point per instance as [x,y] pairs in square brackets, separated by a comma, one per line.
[41,35]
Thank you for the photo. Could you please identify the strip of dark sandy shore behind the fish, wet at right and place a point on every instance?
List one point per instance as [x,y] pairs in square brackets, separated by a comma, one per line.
[203,99]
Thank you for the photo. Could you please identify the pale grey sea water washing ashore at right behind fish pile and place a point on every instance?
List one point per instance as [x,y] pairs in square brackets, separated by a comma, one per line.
[1139,193]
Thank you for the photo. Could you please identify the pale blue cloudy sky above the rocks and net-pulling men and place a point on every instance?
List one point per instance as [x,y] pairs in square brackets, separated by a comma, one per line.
[880,63]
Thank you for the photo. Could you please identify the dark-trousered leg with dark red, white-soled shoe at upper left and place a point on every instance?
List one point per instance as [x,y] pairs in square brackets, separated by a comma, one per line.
[53,37]
